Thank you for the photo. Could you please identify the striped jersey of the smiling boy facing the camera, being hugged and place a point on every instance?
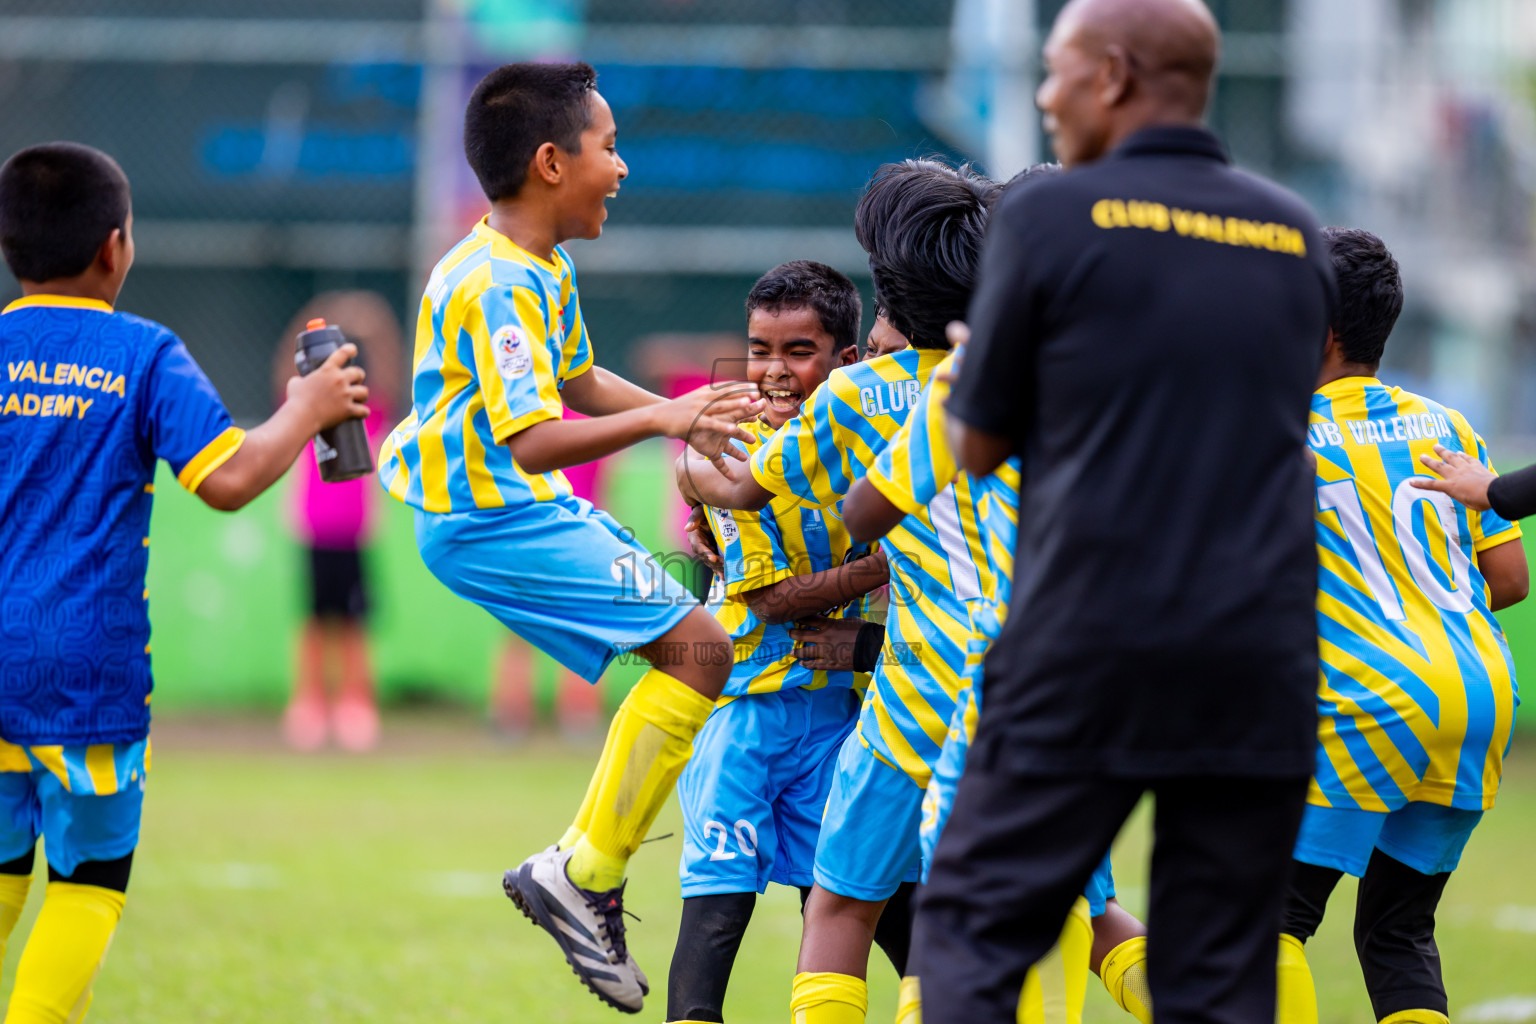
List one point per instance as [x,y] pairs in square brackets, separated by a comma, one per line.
[761,549]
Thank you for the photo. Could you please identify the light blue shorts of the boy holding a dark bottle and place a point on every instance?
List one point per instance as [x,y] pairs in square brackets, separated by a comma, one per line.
[76,827]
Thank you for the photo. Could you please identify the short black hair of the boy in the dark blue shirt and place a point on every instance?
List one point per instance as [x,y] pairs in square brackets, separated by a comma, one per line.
[59,202]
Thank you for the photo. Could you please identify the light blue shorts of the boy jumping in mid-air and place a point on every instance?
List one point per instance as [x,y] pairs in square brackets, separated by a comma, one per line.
[561,575]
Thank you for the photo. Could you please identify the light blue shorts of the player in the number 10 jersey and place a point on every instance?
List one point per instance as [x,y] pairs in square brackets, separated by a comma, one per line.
[1425,836]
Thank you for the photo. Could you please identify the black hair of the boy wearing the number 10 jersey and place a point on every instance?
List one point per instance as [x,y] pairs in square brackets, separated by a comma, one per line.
[1371,292]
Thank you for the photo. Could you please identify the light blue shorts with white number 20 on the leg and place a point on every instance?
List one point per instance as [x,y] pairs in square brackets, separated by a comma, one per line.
[755,790]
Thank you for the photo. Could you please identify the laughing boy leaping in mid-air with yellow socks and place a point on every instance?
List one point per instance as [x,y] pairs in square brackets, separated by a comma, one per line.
[502,351]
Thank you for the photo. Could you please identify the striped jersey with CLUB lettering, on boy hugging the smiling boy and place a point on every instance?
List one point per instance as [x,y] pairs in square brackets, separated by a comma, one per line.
[933,555]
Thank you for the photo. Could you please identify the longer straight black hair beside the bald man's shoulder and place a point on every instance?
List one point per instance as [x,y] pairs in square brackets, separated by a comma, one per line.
[922,223]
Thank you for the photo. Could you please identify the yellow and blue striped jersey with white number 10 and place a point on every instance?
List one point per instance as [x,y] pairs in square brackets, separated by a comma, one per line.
[1417,689]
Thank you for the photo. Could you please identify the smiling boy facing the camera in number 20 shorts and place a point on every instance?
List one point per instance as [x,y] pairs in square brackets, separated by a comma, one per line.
[755,790]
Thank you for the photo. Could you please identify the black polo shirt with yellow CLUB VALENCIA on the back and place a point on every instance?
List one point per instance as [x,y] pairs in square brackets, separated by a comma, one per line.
[1148,332]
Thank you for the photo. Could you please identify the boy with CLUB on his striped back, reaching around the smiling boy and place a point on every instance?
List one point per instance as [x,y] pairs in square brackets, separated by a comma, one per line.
[922,225]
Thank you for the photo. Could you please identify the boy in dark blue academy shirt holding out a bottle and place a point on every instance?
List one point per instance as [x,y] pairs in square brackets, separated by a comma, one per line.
[90,403]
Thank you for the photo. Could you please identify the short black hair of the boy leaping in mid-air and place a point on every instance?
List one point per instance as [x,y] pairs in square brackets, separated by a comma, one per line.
[518,108]
